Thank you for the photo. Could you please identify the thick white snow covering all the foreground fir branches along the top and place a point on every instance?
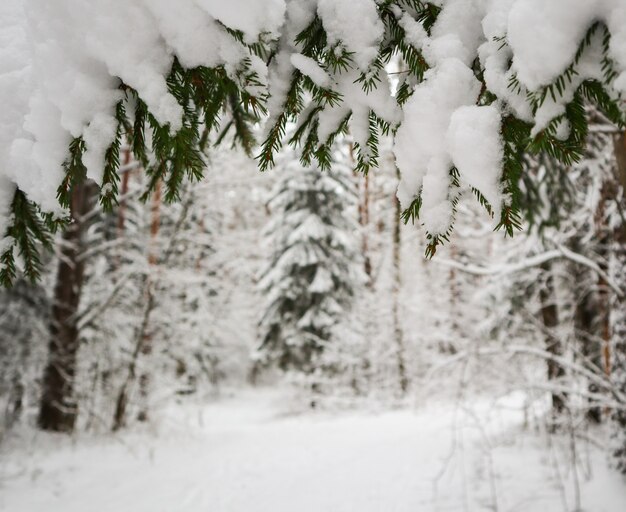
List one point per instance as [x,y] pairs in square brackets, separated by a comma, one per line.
[61,62]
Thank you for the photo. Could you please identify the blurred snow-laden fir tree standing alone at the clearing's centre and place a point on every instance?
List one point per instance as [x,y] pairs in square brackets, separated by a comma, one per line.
[315,268]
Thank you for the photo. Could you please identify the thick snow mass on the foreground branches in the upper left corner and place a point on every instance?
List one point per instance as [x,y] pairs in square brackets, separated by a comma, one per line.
[78,52]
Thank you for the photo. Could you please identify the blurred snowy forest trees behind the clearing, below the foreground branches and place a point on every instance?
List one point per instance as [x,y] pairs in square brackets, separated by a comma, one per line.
[309,276]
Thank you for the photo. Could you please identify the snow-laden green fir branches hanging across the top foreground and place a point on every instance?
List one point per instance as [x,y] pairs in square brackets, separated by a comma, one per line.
[309,64]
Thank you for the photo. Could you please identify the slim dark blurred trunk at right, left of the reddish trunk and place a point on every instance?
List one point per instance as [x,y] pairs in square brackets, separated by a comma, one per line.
[550,319]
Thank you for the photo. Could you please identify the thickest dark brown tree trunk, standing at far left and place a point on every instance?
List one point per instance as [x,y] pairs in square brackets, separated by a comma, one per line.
[58,408]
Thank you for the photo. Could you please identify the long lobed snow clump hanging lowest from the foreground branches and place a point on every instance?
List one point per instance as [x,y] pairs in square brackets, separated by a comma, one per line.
[433,136]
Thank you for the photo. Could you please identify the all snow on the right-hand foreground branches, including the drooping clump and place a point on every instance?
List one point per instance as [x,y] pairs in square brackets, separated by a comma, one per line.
[541,38]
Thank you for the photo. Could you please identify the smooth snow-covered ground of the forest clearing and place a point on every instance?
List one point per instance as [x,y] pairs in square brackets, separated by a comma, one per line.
[246,454]
